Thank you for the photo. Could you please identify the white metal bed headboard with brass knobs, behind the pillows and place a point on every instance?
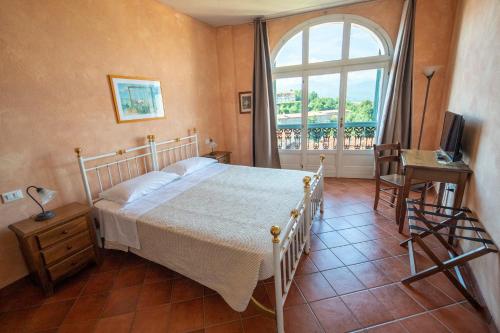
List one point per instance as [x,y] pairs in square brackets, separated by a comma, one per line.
[103,171]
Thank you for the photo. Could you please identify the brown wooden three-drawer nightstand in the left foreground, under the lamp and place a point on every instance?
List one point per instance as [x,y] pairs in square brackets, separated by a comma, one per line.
[59,247]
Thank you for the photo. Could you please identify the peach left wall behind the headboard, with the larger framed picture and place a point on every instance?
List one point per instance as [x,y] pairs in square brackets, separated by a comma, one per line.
[54,93]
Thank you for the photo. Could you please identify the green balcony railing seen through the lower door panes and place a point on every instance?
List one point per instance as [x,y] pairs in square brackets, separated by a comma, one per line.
[357,136]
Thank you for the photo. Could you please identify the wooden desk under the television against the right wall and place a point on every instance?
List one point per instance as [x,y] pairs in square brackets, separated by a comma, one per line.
[423,165]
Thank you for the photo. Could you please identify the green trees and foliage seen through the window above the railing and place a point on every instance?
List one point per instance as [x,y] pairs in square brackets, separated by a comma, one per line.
[355,111]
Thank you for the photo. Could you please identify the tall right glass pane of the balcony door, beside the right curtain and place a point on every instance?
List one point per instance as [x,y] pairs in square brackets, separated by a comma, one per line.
[362,105]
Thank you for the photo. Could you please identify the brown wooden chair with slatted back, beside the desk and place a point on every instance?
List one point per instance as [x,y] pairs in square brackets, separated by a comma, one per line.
[386,155]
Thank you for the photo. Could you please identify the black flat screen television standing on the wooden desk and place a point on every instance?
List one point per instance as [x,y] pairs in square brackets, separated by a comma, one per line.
[451,136]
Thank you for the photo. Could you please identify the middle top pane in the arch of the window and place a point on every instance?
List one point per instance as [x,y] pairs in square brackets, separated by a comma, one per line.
[325,42]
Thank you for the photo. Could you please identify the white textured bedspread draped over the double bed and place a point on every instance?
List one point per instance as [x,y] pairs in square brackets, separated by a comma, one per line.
[216,232]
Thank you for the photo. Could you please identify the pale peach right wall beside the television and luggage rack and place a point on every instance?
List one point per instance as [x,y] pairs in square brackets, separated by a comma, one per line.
[474,93]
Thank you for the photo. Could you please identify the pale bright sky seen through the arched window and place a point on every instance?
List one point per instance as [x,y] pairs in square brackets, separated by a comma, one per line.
[325,43]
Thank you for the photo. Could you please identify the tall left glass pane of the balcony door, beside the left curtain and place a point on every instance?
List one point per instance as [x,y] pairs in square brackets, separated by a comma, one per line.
[288,97]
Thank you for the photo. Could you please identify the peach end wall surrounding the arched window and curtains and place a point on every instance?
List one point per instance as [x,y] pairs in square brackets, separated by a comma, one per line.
[434,24]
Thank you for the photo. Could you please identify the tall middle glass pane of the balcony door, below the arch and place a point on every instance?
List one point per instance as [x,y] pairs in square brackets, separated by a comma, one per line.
[322,111]
